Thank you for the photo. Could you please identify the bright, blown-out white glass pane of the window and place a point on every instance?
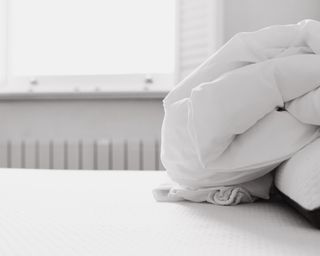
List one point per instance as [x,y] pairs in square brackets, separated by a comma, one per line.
[91,37]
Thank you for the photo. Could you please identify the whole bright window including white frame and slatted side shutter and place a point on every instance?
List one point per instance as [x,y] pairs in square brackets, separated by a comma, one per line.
[105,43]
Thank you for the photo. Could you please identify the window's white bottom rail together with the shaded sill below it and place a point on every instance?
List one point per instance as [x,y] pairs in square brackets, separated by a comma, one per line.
[134,86]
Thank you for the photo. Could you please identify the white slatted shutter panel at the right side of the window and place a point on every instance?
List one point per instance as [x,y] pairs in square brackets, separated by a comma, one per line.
[199,33]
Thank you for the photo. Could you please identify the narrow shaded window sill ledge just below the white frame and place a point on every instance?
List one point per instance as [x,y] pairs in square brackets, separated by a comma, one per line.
[64,94]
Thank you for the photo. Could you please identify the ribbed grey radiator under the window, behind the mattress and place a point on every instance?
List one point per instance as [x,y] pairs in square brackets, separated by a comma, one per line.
[115,154]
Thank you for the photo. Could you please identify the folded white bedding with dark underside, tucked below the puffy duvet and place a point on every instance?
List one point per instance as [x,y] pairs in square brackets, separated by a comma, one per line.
[298,181]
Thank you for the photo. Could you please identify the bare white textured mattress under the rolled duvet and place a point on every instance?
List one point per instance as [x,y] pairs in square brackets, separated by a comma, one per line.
[114,213]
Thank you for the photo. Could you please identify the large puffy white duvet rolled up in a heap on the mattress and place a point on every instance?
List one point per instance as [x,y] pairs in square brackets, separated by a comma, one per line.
[248,108]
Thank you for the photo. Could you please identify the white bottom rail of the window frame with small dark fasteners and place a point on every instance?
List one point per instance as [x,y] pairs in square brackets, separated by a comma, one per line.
[96,83]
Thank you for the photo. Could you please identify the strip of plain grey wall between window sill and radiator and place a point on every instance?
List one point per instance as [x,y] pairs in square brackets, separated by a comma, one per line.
[80,119]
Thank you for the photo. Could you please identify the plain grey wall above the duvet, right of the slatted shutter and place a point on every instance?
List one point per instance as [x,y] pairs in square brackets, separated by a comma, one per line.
[250,15]
